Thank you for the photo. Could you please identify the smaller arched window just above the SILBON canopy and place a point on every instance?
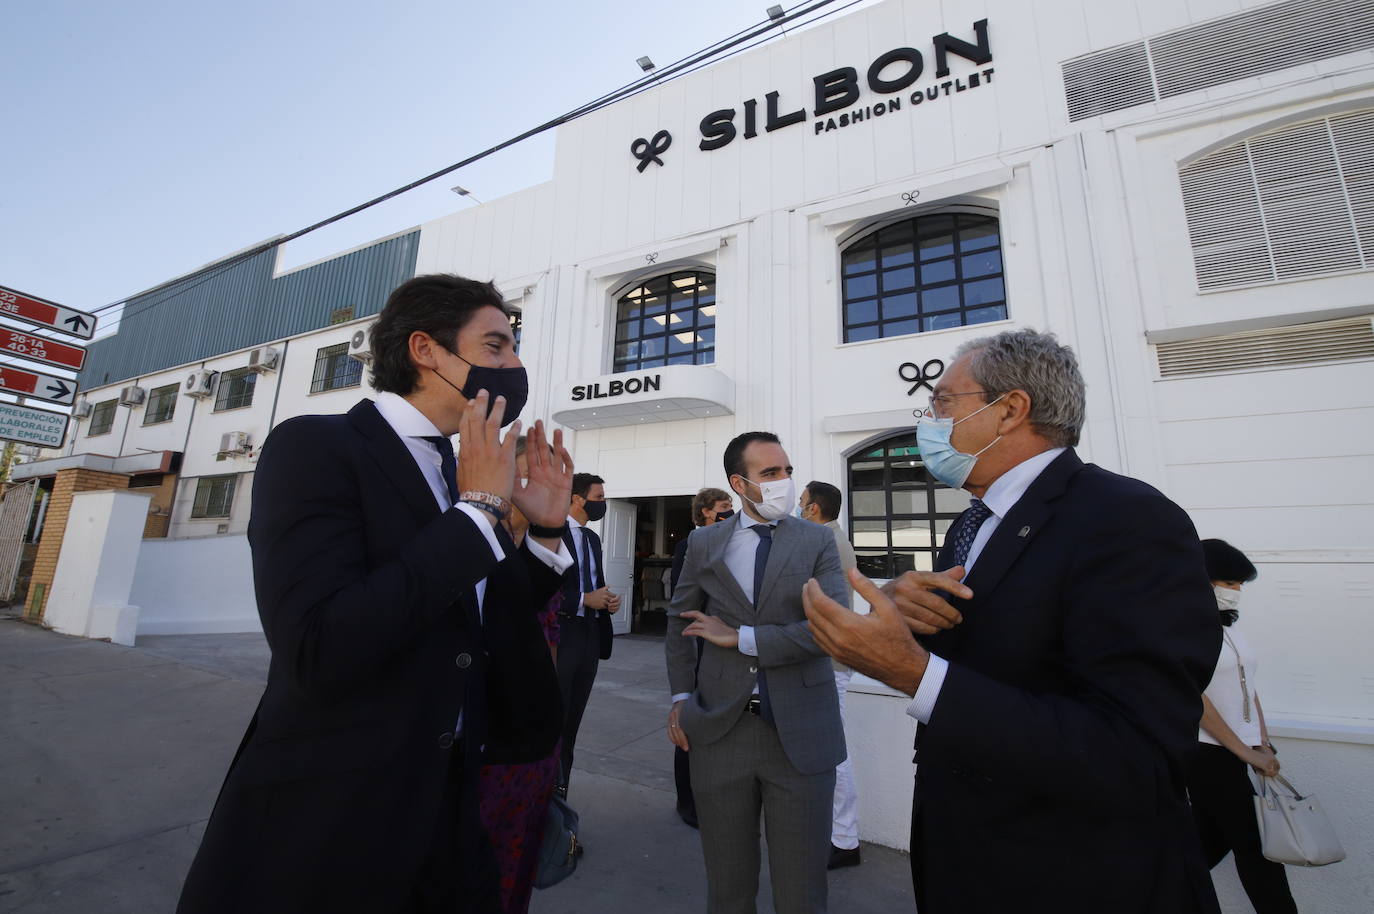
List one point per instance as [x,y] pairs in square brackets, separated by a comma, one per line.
[667,321]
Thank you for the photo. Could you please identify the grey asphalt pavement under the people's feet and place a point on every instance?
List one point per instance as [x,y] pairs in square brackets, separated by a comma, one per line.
[112,757]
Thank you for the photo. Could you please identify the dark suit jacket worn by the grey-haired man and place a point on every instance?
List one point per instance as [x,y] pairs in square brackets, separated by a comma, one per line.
[1052,774]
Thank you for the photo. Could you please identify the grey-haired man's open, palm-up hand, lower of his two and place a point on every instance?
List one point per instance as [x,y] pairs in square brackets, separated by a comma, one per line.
[879,645]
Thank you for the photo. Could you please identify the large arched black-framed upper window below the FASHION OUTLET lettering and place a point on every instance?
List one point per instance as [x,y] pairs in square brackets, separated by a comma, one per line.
[924,274]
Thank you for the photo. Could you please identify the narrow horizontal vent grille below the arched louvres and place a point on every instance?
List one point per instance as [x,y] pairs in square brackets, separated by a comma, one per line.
[1281,347]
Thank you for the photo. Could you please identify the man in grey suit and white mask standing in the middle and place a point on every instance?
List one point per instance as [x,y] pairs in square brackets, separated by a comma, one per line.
[761,714]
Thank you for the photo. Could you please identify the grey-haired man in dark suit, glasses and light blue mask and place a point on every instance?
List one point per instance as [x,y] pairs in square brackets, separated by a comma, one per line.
[1057,718]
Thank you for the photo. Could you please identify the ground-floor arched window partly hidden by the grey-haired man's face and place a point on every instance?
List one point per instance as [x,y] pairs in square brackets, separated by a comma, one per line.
[902,472]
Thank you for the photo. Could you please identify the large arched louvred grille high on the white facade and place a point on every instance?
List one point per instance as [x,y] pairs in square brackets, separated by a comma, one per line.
[1284,205]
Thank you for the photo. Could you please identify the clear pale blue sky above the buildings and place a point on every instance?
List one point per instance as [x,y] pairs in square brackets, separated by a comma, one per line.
[146,138]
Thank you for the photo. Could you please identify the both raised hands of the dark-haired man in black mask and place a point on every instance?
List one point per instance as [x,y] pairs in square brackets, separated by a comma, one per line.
[487,464]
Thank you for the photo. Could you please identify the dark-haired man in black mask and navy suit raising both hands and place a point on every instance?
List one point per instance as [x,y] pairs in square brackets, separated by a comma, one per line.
[403,629]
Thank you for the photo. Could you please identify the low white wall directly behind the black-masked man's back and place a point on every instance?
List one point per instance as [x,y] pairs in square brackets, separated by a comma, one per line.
[196,586]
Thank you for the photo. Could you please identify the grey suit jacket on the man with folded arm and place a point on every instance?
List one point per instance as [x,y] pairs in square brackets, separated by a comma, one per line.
[802,684]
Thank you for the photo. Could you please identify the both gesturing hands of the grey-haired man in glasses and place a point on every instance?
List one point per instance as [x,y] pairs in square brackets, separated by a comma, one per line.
[883,645]
